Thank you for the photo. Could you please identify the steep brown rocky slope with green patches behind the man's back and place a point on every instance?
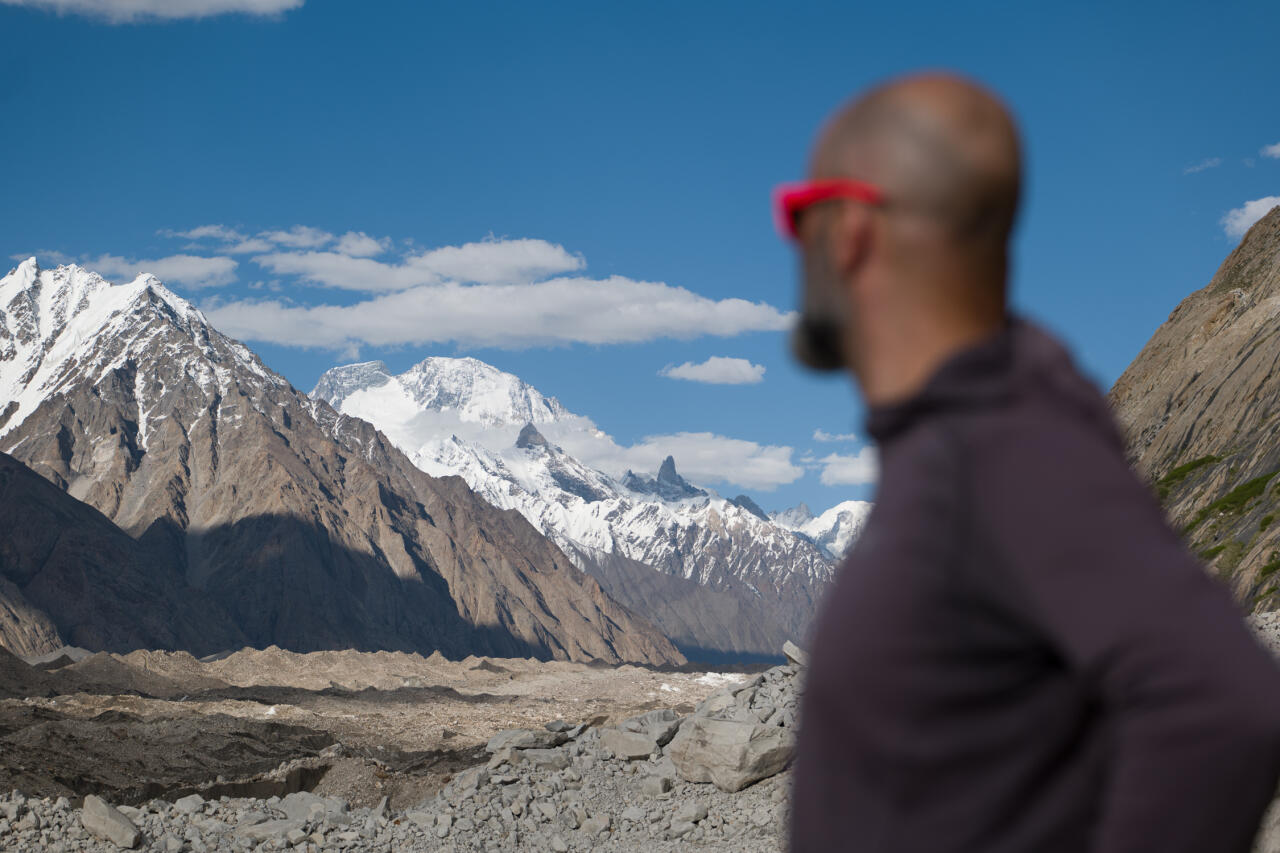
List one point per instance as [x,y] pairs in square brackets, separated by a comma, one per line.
[1201,408]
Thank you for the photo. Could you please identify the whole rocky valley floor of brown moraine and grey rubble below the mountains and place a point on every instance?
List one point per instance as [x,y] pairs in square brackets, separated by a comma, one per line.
[268,750]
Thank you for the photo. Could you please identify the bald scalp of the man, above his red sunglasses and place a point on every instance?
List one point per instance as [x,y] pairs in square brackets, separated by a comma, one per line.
[943,149]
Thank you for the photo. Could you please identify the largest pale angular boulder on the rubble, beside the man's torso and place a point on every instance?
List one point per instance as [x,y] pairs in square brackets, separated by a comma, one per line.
[729,754]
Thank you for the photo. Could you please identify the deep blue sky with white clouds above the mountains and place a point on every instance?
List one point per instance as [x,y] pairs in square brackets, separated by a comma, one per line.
[604,171]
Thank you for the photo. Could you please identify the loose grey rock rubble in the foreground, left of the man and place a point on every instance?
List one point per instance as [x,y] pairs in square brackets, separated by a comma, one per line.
[715,779]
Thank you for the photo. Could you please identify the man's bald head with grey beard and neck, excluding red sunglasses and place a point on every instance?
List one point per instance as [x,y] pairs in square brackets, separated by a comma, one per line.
[890,289]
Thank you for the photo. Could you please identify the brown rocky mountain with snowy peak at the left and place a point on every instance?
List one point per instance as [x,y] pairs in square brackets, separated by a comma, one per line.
[308,528]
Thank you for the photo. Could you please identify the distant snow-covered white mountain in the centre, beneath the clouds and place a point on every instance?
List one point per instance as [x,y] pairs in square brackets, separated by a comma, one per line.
[524,451]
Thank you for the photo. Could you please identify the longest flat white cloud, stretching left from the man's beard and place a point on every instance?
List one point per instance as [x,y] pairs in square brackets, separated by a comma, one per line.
[557,312]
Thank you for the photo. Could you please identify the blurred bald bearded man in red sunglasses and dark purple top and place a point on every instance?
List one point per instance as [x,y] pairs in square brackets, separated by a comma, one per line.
[1018,656]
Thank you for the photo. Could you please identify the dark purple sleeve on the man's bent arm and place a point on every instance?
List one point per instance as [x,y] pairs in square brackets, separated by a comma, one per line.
[1082,550]
